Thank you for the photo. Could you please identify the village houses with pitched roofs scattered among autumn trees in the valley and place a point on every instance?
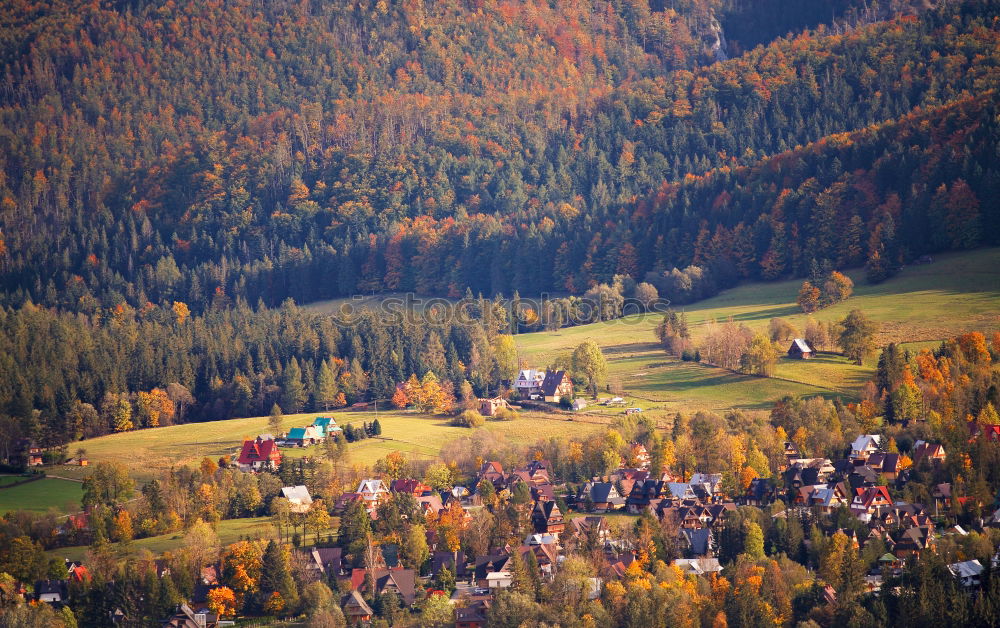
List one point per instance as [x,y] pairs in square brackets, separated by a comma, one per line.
[699,508]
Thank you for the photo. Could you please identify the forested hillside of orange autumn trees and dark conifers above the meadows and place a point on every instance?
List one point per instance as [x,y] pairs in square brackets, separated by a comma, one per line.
[206,151]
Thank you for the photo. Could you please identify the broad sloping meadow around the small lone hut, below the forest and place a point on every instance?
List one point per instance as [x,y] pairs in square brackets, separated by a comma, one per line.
[921,306]
